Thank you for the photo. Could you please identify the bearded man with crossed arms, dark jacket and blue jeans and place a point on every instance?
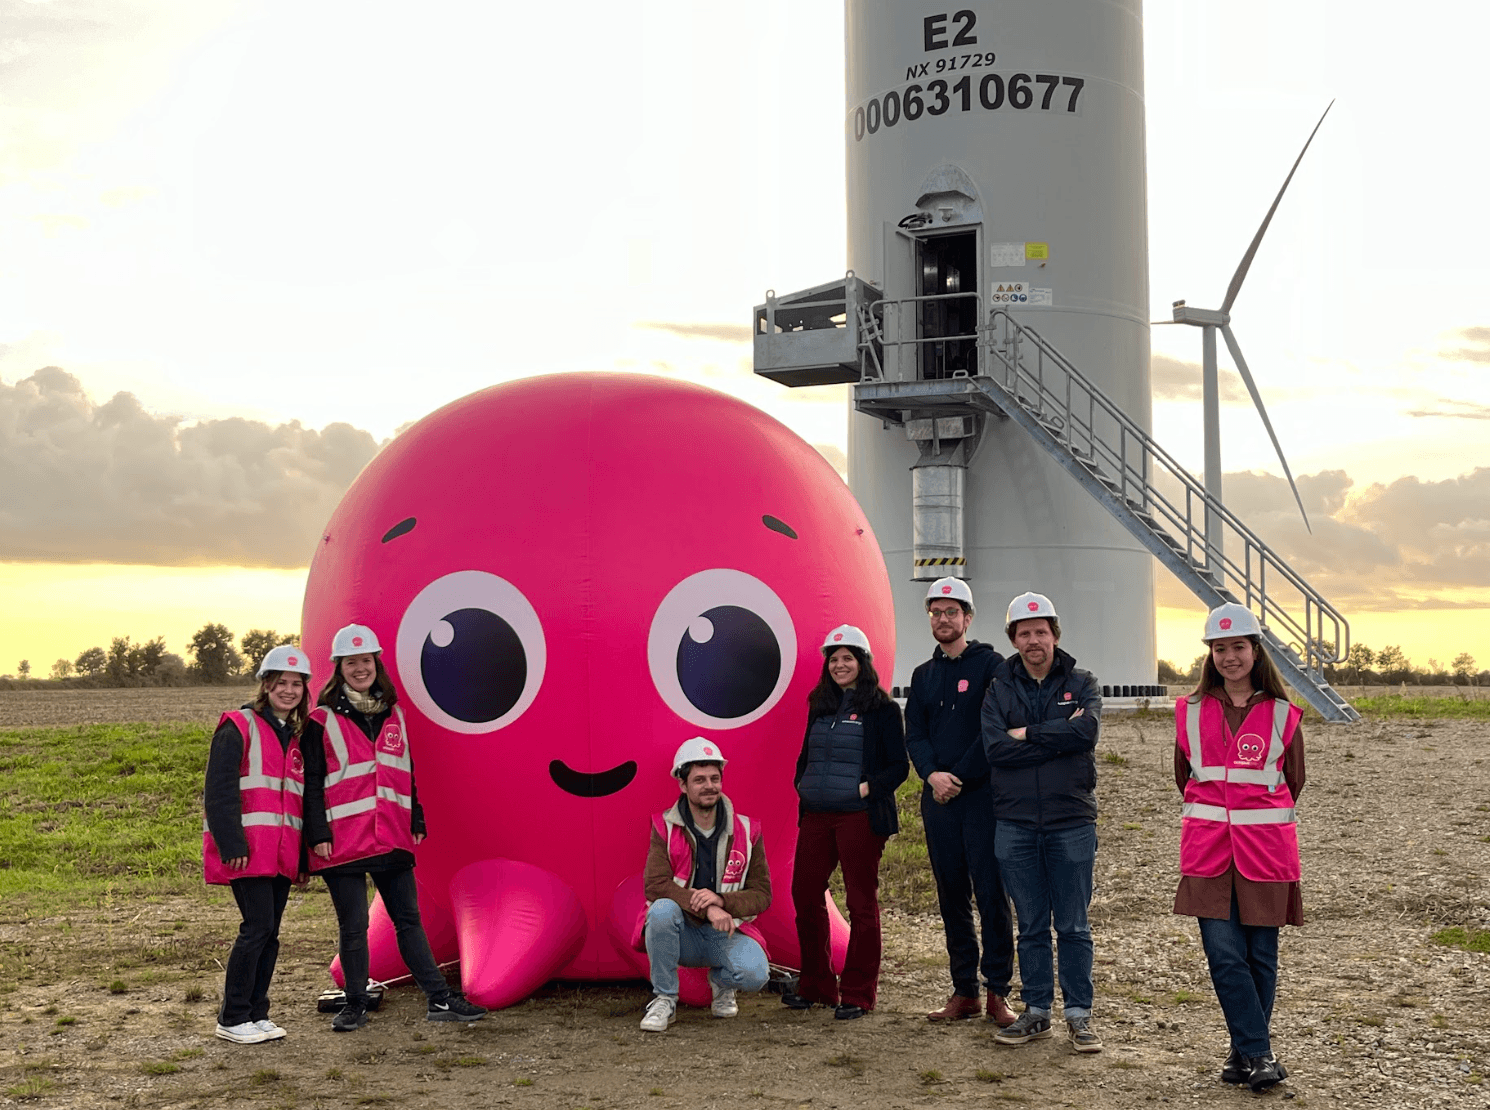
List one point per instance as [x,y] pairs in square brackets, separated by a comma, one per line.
[1041,722]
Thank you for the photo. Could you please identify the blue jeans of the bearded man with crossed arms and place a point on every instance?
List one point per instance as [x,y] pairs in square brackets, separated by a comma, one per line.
[1050,878]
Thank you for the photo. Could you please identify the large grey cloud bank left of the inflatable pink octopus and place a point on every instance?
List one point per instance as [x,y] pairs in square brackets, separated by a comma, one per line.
[112,483]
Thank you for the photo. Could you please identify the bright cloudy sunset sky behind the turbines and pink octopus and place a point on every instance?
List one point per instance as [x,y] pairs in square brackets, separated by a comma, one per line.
[244,244]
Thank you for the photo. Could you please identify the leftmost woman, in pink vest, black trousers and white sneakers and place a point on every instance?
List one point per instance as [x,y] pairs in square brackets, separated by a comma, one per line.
[251,834]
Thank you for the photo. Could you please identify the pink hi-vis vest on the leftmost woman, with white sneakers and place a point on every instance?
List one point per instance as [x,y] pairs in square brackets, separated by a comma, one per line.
[272,781]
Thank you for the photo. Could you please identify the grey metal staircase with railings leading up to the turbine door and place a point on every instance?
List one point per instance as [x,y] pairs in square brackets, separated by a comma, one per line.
[1027,381]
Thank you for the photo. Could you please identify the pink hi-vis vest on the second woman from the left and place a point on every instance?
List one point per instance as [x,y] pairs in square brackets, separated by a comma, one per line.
[370,790]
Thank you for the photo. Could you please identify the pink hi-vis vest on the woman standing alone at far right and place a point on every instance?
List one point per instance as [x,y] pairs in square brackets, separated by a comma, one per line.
[1237,807]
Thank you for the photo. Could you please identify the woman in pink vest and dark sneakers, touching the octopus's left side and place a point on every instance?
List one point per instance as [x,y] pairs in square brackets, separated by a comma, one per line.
[363,820]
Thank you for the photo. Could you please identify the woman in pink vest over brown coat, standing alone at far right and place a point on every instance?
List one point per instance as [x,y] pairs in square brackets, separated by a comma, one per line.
[1239,761]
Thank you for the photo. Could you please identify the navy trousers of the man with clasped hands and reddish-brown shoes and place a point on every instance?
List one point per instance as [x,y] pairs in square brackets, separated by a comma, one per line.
[960,841]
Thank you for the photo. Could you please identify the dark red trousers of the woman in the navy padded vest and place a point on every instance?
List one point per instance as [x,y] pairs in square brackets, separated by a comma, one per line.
[828,841]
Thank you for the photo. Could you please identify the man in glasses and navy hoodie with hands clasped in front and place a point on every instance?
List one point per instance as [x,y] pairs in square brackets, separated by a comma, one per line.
[945,743]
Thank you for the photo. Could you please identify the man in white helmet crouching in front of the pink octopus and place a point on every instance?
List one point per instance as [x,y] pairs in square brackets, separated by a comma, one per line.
[706,877]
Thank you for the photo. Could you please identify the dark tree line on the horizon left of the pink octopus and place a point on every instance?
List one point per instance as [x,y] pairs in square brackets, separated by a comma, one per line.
[215,659]
